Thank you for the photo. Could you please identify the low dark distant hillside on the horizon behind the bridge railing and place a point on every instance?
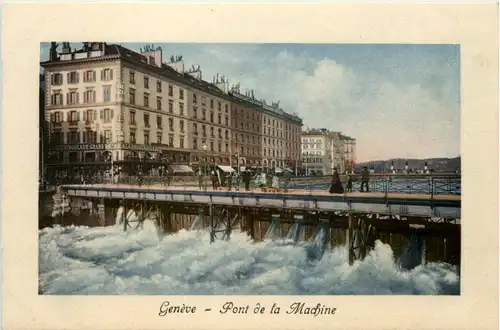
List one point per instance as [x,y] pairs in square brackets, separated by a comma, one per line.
[436,164]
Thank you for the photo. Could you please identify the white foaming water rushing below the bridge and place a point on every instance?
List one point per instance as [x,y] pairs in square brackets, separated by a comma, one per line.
[108,261]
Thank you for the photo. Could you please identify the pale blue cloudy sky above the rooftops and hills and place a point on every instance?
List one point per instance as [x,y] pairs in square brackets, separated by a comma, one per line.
[397,101]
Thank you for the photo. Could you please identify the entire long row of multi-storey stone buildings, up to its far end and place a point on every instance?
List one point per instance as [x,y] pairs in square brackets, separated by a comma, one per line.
[107,106]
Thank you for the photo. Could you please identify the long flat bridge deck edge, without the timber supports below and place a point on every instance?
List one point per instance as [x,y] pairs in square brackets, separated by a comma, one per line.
[393,203]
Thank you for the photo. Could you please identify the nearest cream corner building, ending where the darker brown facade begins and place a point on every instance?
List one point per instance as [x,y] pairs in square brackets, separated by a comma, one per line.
[106,103]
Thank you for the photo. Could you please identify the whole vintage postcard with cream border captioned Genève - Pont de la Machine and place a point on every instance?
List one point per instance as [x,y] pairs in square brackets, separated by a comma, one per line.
[249,179]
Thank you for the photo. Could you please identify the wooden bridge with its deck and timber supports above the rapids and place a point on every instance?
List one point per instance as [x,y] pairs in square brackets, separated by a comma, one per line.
[363,216]
